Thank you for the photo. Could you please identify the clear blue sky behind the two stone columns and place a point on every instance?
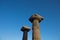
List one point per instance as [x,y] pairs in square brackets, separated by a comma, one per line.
[15,13]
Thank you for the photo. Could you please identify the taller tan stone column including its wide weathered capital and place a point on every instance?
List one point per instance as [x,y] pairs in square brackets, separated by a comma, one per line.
[35,20]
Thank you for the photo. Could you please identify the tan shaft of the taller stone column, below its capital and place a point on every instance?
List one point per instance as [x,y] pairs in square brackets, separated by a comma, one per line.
[35,30]
